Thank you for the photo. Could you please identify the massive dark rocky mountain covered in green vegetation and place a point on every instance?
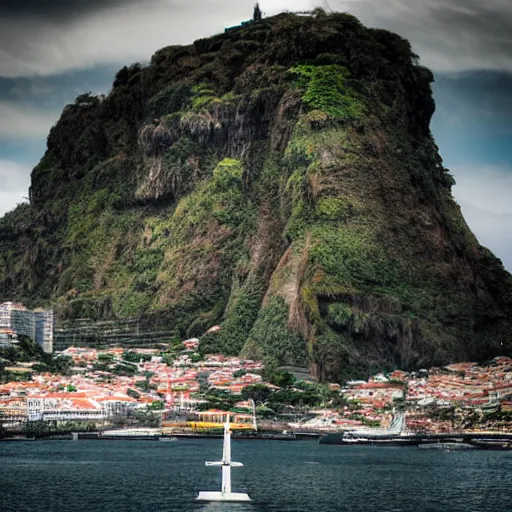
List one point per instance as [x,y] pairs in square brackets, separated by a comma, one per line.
[280,179]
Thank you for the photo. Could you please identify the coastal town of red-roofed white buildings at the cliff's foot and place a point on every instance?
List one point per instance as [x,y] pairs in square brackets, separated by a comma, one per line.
[176,387]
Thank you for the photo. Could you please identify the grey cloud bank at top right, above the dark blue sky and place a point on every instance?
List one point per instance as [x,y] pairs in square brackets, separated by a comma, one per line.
[449,35]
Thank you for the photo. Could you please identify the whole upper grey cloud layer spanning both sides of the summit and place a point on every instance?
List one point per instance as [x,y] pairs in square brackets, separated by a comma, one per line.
[47,37]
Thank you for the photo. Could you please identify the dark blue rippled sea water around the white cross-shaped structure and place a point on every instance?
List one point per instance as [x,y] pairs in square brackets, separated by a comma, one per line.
[297,476]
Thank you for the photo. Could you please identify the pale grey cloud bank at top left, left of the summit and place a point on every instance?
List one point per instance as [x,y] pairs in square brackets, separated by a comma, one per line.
[44,43]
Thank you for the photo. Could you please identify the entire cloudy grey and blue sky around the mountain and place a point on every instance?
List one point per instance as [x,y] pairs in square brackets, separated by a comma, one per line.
[52,50]
